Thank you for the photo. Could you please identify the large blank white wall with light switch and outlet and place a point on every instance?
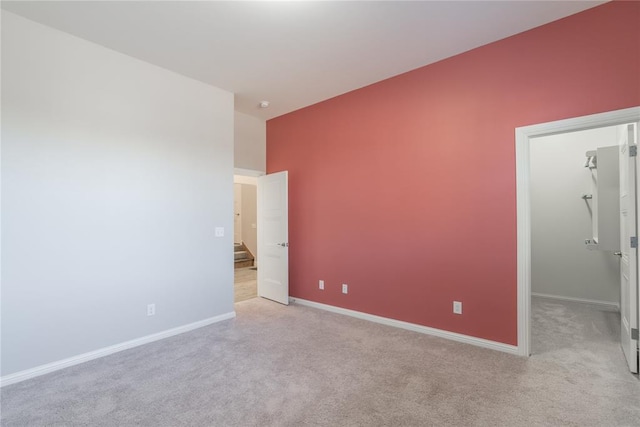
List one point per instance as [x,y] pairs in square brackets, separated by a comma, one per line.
[114,175]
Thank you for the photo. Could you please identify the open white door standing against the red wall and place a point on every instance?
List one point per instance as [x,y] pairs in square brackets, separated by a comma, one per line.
[273,237]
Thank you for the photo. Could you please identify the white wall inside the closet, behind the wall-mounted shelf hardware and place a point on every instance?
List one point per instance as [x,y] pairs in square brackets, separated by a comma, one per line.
[561,221]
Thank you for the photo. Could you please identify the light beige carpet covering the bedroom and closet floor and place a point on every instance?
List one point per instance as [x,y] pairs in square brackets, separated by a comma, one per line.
[295,366]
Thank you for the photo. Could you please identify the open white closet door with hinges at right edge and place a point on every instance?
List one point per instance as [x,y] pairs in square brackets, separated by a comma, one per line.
[629,254]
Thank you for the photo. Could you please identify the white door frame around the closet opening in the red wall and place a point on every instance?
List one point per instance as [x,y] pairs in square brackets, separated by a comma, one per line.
[523,136]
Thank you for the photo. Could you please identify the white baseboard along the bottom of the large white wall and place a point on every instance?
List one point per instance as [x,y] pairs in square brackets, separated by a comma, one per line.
[85,357]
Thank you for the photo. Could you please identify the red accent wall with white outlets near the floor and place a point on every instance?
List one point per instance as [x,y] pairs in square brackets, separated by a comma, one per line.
[406,189]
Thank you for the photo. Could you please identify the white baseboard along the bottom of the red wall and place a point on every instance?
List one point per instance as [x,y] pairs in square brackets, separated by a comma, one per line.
[479,342]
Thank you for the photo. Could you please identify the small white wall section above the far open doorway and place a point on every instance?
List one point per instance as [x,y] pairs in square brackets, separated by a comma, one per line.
[250,145]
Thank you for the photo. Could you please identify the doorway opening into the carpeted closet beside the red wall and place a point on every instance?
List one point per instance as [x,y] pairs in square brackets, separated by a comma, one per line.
[575,287]
